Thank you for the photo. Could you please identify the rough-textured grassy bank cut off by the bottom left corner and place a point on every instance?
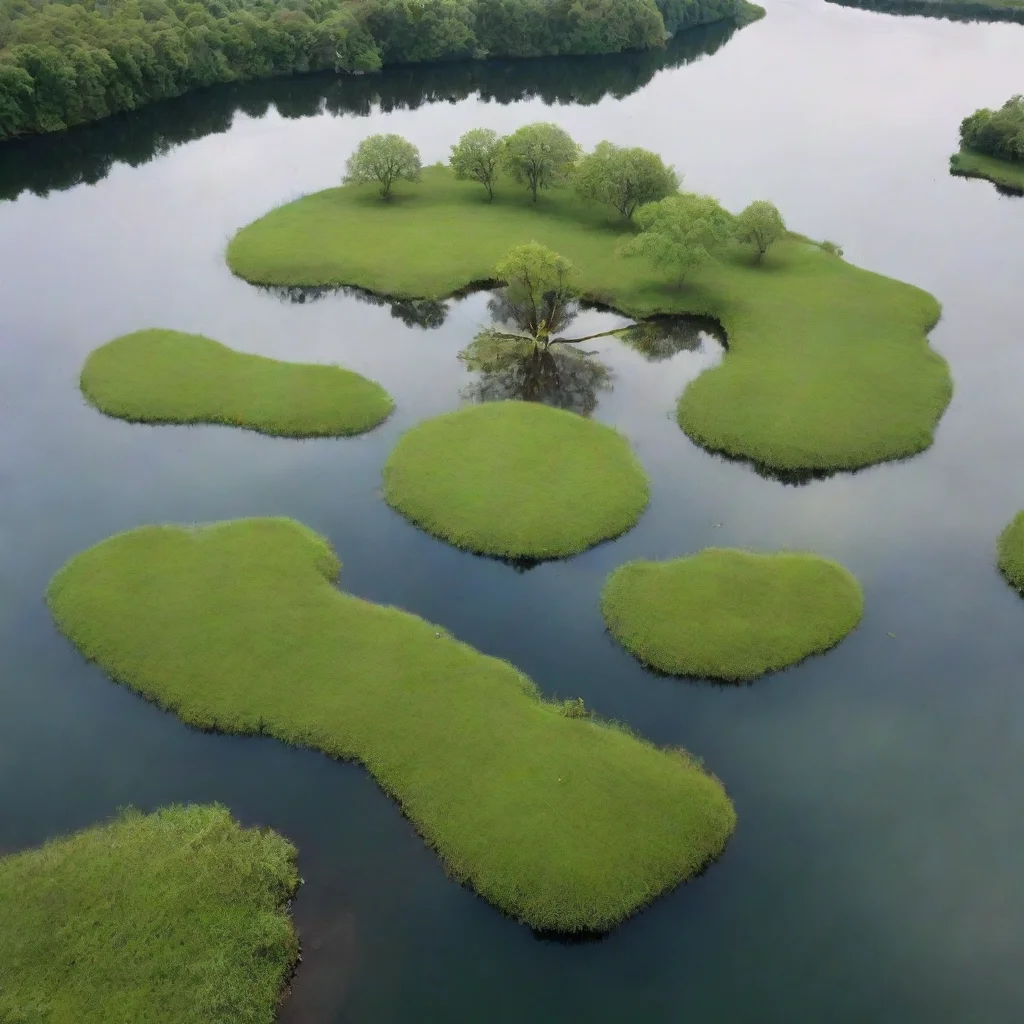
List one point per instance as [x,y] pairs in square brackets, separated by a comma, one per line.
[175,918]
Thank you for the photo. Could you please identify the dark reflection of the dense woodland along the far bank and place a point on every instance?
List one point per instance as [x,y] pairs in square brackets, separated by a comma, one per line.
[86,155]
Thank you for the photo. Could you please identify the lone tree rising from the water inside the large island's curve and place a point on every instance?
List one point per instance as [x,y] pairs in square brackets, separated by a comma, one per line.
[538,291]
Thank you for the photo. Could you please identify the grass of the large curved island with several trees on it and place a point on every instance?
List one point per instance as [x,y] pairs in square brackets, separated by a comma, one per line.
[828,368]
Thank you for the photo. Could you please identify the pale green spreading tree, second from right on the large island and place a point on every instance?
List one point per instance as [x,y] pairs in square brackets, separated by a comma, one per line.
[681,233]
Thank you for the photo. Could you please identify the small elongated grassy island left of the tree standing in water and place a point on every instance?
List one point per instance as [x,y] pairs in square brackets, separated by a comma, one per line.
[162,376]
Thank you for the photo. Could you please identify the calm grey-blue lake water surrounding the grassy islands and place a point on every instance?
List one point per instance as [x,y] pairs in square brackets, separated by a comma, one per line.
[876,874]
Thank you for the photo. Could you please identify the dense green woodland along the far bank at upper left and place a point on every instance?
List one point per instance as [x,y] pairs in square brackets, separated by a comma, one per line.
[65,64]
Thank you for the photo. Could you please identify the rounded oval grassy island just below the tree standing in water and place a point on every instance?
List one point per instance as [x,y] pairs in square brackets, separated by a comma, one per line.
[517,480]
